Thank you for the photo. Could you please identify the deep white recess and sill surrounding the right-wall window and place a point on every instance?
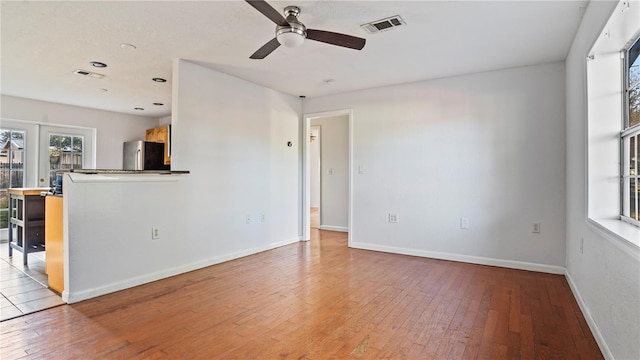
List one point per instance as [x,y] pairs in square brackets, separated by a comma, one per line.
[603,174]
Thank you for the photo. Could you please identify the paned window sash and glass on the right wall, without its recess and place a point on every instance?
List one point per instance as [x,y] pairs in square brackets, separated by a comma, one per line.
[630,137]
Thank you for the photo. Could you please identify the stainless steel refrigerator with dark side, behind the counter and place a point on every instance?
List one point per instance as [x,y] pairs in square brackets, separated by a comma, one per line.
[143,155]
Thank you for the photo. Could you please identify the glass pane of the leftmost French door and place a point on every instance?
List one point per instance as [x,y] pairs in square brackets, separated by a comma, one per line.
[12,157]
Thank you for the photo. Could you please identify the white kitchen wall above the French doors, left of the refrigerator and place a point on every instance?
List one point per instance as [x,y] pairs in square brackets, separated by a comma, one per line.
[112,128]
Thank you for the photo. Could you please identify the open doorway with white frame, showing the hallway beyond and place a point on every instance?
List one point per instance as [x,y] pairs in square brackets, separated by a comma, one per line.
[327,171]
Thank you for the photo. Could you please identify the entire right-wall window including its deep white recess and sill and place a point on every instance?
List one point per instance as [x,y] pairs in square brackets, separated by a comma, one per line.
[613,127]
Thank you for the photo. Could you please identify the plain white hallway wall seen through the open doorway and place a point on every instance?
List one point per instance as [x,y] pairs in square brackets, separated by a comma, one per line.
[334,148]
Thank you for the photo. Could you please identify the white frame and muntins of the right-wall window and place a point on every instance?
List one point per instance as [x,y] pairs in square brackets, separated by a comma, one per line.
[628,132]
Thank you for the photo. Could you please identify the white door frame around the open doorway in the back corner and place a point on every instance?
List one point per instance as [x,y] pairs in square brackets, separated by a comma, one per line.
[306,171]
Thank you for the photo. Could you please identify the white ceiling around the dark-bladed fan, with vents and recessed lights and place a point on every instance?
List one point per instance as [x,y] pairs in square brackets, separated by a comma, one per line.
[44,41]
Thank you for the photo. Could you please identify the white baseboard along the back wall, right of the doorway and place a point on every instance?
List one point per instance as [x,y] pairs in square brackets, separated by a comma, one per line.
[511,264]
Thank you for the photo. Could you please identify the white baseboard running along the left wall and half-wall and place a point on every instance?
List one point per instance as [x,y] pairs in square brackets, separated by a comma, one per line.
[73,297]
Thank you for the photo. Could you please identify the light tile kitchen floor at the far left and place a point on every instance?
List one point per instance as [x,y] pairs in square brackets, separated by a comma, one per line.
[23,289]
